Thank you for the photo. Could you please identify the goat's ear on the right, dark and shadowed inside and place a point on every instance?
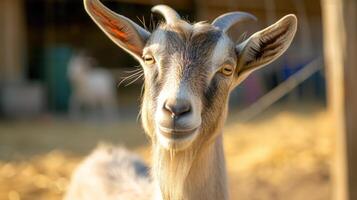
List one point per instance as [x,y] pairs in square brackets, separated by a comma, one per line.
[265,46]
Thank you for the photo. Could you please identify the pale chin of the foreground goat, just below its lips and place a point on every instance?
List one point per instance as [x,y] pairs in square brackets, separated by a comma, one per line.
[176,144]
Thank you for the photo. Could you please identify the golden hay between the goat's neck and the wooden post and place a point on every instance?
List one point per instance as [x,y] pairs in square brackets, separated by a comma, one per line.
[284,157]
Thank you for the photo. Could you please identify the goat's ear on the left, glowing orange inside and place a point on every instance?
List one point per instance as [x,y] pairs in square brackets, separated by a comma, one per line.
[121,30]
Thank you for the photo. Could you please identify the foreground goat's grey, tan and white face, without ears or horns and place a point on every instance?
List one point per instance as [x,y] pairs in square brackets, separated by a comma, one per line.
[188,74]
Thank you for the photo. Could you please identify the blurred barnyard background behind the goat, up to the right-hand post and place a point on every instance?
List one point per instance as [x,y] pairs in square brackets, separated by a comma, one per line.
[60,96]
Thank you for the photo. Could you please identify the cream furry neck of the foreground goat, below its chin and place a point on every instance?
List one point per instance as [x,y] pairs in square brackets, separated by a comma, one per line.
[188,175]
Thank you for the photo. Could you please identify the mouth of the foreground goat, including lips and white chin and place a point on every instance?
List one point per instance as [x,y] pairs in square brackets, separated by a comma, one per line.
[174,139]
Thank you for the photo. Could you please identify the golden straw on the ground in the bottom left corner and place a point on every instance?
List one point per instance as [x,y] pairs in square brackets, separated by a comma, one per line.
[42,177]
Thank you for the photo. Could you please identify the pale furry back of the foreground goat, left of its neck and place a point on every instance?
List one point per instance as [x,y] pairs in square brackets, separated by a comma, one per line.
[110,173]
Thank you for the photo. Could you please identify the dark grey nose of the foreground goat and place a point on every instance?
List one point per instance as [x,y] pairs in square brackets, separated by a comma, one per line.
[177,107]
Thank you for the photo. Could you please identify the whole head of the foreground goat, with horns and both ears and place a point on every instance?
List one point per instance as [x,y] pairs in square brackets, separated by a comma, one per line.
[190,69]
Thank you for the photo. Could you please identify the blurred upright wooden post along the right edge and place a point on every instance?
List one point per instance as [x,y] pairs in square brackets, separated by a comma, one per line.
[340,42]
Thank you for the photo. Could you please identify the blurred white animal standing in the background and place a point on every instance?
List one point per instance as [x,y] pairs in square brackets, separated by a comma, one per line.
[93,89]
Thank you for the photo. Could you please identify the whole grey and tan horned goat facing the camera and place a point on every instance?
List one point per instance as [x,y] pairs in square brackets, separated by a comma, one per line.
[190,70]
